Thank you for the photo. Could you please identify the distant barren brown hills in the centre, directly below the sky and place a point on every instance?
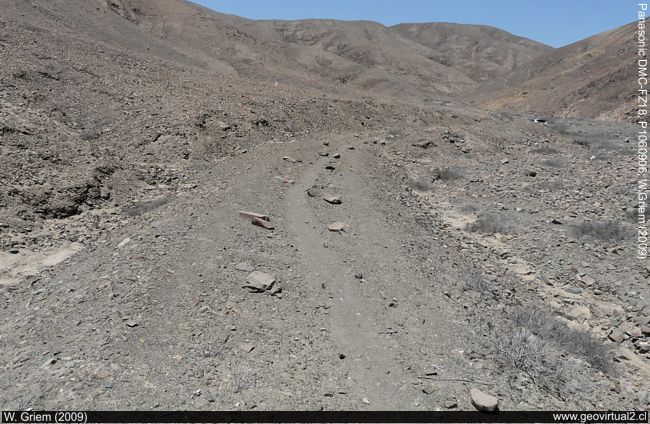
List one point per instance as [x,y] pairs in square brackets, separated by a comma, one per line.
[368,56]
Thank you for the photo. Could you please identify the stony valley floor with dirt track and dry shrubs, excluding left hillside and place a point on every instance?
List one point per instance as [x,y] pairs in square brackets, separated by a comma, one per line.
[460,263]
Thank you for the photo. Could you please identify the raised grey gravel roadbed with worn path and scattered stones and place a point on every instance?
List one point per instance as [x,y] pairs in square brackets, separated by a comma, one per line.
[156,316]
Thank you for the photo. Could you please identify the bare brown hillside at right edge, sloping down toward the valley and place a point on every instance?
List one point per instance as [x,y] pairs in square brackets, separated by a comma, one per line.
[590,78]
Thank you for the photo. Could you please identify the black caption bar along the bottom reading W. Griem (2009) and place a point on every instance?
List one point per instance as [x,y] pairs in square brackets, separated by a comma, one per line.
[323,417]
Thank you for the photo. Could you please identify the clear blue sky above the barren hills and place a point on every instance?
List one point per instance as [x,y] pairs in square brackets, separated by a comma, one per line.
[553,22]
